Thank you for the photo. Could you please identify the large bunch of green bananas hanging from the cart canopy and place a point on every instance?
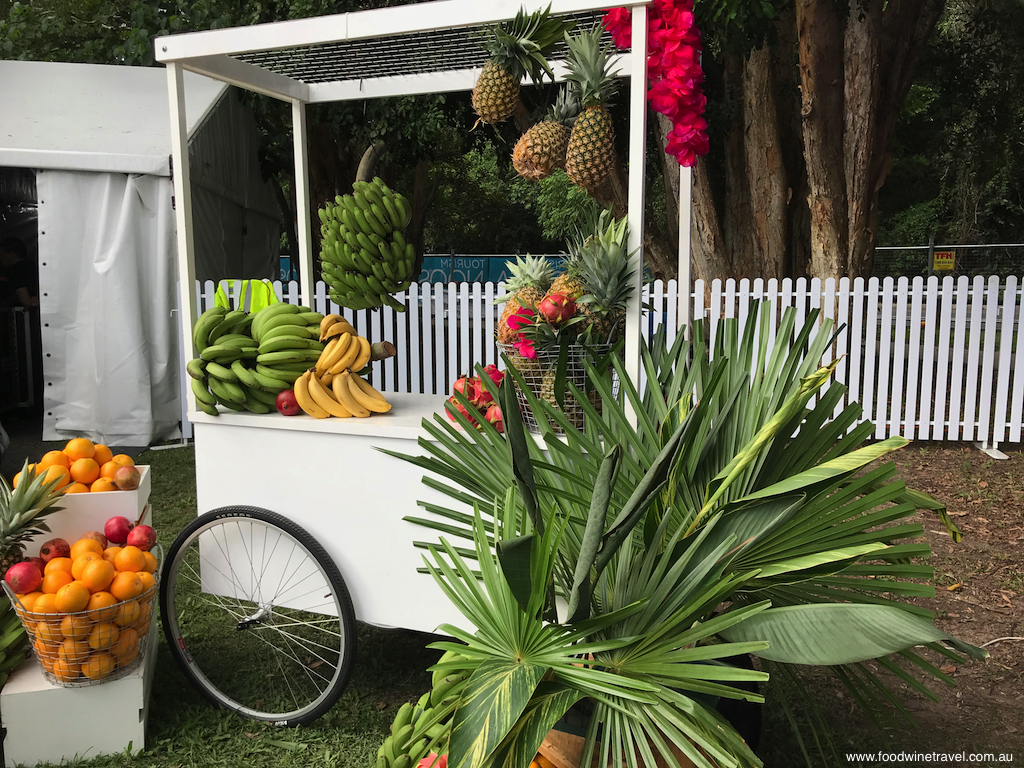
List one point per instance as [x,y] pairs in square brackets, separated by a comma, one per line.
[364,254]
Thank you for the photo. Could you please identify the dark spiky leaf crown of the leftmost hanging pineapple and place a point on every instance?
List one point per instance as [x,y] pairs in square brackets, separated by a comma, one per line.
[521,47]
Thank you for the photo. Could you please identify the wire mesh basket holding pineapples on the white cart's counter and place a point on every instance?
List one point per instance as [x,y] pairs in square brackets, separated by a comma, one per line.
[540,375]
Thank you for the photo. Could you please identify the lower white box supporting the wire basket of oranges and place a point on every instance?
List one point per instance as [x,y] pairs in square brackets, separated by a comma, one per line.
[104,719]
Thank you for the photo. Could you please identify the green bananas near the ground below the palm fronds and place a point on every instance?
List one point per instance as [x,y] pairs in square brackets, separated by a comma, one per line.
[424,728]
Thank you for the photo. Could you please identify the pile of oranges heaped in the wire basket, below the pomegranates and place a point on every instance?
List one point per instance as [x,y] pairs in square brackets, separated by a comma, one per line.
[92,612]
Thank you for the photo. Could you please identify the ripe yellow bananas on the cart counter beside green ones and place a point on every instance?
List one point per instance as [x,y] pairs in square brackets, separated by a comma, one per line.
[333,387]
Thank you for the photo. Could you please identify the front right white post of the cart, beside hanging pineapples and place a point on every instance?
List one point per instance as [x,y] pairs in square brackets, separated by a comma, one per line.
[637,155]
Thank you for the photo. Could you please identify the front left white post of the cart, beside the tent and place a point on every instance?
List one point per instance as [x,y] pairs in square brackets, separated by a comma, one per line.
[183,212]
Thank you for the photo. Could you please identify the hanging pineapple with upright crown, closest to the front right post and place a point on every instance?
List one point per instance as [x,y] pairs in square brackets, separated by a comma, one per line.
[590,154]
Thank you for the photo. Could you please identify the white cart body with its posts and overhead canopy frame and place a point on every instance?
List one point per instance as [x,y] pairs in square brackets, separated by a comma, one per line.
[326,475]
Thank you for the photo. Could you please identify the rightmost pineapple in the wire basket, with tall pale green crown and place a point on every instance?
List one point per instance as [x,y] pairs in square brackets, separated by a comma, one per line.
[609,278]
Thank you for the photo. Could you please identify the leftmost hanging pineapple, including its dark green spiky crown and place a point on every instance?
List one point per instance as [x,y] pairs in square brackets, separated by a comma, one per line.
[518,49]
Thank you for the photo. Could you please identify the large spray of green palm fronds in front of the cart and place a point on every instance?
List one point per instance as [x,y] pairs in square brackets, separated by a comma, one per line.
[627,563]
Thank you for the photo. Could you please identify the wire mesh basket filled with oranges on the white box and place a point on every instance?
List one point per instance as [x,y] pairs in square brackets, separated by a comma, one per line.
[92,647]
